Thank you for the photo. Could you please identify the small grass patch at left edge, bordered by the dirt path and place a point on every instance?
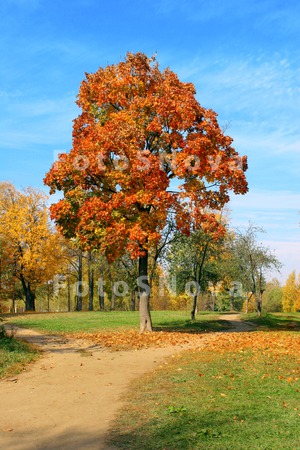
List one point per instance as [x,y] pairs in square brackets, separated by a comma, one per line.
[14,355]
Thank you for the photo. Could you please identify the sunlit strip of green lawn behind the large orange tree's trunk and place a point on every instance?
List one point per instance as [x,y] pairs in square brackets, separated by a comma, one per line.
[117,320]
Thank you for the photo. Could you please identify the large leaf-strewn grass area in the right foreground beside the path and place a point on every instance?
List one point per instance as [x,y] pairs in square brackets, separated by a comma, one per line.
[240,398]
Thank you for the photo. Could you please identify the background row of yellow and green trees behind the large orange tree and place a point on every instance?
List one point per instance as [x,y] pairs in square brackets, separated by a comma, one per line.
[41,270]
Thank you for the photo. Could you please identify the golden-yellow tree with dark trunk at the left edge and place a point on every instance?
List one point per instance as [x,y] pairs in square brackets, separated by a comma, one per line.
[35,250]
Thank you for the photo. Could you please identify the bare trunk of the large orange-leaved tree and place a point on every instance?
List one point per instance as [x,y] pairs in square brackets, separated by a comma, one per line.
[144,293]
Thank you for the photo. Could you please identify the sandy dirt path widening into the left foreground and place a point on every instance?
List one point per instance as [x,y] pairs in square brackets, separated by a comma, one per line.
[68,399]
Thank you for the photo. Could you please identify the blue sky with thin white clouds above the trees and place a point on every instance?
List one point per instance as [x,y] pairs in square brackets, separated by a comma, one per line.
[243,57]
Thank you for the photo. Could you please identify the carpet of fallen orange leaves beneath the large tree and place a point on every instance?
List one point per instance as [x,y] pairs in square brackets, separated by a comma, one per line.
[268,345]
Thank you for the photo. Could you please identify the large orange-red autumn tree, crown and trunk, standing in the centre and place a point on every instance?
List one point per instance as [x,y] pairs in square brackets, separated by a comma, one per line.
[139,128]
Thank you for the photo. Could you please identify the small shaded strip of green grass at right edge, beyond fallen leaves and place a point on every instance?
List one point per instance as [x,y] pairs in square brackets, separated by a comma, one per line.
[275,321]
